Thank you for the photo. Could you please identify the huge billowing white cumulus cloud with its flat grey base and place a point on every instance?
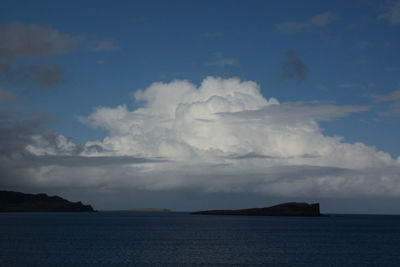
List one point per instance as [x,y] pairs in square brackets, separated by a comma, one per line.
[222,136]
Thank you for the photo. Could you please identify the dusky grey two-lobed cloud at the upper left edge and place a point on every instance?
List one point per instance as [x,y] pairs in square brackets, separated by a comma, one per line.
[18,40]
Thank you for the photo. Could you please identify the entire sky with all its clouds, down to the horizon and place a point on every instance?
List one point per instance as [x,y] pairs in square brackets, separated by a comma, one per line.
[202,104]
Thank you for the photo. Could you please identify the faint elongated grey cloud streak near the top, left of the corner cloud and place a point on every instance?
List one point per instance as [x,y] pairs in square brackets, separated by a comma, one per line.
[317,21]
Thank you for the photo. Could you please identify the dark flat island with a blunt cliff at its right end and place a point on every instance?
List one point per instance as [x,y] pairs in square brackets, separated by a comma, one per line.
[284,209]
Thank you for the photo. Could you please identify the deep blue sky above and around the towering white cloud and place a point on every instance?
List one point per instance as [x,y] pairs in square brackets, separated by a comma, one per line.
[337,53]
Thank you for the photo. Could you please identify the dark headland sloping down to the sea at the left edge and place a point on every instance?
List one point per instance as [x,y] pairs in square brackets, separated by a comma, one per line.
[16,201]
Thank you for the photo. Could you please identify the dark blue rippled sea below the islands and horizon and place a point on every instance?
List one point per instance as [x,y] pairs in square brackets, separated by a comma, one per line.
[182,239]
